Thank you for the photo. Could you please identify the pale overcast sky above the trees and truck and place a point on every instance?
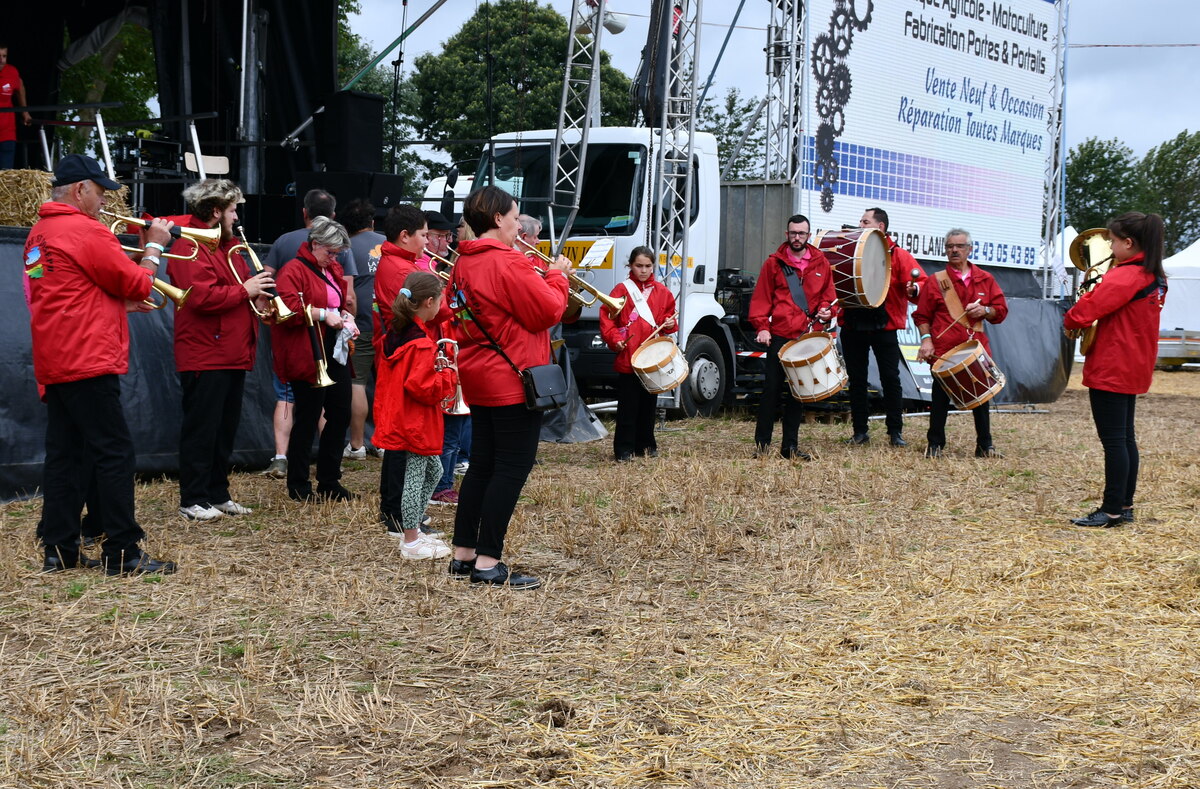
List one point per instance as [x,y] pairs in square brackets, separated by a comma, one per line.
[1138,95]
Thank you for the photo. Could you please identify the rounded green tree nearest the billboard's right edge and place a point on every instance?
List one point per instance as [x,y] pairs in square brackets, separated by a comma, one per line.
[1102,183]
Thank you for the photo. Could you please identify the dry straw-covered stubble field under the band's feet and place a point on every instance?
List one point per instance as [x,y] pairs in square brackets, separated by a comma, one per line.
[709,621]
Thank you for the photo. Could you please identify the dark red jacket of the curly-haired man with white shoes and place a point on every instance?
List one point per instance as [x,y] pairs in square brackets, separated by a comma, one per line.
[217,329]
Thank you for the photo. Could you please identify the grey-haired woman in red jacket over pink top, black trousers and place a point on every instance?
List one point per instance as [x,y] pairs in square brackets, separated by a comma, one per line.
[316,274]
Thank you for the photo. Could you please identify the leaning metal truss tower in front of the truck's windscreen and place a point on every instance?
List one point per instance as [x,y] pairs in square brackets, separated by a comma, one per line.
[578,111]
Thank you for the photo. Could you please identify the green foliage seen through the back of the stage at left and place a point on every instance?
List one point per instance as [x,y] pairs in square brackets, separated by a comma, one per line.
[124,71]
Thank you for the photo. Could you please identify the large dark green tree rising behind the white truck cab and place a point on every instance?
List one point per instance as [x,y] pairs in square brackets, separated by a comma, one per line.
[526,44]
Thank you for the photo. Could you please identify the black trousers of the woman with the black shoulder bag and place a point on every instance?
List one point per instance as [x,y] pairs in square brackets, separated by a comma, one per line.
[505,445]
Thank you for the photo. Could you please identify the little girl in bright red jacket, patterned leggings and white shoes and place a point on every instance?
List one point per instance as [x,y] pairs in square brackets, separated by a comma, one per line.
[409,415]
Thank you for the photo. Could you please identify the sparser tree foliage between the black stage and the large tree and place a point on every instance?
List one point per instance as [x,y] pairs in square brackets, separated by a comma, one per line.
[353,55]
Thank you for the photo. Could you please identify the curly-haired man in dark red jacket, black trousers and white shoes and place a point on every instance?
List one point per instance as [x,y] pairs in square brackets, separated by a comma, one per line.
[217,335]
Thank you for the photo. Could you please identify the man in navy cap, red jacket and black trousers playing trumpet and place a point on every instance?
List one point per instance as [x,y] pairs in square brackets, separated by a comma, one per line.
[81,285]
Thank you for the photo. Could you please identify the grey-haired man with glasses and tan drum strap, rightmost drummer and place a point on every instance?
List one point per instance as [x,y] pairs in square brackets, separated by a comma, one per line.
[951,311]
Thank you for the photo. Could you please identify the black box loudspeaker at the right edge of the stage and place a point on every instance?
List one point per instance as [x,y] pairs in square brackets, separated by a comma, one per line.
[350,132]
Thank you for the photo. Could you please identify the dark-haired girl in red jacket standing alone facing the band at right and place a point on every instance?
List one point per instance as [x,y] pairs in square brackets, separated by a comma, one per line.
[1121,363]
